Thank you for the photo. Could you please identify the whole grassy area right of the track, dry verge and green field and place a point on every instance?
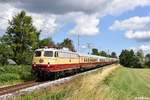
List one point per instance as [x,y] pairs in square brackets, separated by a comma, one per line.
[114,84]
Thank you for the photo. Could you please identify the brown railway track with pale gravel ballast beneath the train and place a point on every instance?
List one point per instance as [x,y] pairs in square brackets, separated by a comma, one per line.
[5,92]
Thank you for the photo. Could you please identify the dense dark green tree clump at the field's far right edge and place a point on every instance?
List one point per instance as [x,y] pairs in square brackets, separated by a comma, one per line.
[129,58]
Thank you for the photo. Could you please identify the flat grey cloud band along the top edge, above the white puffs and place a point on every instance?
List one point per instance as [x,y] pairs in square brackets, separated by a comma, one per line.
[86,6]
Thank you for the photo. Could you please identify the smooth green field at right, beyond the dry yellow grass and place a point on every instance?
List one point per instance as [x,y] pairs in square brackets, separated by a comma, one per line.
[128,83]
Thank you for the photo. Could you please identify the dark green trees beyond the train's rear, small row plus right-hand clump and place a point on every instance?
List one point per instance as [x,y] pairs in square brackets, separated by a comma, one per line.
[127,58]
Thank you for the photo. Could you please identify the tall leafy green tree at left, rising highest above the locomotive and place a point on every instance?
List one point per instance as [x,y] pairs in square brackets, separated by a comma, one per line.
[23,37]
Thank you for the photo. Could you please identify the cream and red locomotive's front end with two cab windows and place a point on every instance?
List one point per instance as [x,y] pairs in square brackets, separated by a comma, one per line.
[42,60]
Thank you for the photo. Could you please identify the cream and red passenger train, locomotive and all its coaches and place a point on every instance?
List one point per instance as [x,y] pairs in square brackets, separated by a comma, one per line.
[49,62]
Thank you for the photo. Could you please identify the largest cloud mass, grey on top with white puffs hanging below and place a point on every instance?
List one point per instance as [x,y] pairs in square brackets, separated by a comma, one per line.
[68,10]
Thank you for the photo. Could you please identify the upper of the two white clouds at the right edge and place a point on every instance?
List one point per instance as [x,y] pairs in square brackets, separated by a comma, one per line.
[132,23]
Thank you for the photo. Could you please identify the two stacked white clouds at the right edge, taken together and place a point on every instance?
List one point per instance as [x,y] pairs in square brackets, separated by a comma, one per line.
[135,27]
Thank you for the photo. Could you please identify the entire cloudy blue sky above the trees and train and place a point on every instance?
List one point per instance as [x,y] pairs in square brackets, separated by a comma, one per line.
[110,25]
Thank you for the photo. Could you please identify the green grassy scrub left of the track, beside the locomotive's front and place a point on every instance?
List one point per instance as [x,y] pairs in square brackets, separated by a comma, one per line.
[11,74]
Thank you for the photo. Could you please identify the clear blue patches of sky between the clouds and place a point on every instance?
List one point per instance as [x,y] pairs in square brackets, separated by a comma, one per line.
[107,39]
